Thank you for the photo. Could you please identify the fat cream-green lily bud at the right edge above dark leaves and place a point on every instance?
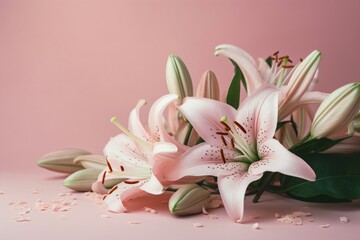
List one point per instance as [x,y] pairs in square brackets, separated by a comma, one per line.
[337,111]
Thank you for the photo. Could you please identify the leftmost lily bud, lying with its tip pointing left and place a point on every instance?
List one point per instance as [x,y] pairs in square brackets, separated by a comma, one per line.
[62,160]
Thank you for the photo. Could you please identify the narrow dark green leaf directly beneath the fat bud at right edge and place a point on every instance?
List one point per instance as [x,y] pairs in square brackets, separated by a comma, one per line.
[314,145]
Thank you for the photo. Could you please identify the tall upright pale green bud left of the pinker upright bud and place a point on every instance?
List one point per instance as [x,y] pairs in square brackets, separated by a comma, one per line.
[178,77]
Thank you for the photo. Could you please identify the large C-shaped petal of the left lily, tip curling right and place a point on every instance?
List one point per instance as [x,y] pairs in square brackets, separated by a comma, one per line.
[156,120]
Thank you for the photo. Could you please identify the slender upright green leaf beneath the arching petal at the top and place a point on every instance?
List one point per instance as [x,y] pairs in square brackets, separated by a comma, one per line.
[233,94]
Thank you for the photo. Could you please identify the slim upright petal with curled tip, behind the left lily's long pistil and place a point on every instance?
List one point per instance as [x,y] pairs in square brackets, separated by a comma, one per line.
[135,124]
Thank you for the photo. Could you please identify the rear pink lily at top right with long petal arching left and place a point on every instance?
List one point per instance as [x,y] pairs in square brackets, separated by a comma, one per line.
[293,81]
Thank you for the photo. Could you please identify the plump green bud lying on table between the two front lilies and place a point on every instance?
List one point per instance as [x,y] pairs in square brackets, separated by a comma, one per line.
[189,199]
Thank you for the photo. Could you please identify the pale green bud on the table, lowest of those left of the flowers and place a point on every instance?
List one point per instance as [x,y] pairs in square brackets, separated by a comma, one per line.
[82,180]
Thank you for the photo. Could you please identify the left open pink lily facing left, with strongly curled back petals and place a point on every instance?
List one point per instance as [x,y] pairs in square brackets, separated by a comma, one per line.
[139,157]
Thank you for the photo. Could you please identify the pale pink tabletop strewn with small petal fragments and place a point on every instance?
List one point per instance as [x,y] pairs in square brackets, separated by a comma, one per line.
[84,219]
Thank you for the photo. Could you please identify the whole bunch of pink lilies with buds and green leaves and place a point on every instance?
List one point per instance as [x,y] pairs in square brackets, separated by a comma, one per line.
[203,144]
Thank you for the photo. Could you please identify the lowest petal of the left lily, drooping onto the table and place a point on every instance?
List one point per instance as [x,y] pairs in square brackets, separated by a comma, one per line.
[115,200]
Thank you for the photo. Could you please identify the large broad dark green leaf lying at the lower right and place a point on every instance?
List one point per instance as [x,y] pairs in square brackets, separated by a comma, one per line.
[337,179]
